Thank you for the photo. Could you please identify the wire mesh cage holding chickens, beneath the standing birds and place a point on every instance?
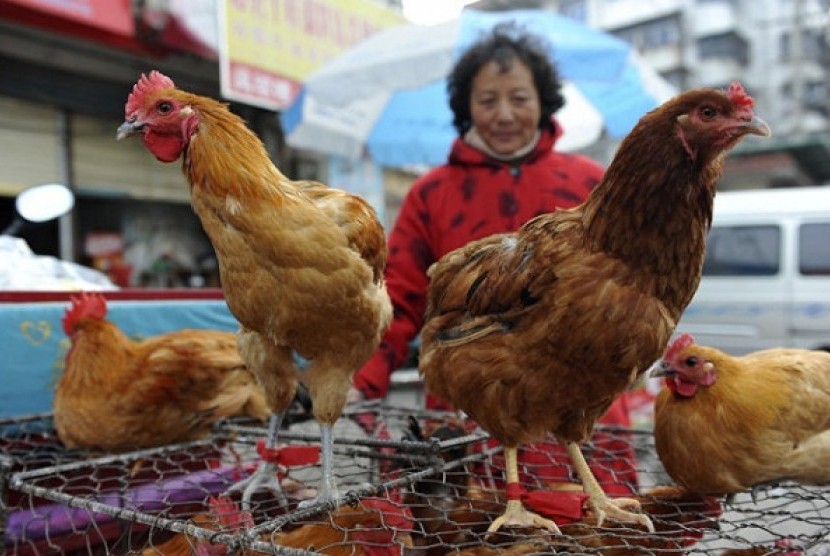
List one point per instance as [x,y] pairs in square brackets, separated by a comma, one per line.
[413,482]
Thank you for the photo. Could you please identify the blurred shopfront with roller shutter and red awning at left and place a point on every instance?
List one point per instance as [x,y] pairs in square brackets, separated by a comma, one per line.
[65,73]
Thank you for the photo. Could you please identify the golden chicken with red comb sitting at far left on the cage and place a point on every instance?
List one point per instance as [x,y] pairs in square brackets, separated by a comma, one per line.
[117,394]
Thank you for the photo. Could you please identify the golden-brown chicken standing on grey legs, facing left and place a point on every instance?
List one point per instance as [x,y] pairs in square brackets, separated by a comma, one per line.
[300,264]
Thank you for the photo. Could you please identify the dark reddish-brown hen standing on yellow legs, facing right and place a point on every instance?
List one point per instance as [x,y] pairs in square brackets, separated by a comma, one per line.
[536,332]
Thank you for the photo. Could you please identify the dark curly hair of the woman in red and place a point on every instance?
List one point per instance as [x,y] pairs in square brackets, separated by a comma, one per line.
[505,43]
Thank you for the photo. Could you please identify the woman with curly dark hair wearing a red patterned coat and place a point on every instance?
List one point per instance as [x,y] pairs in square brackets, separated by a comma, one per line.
[502,171]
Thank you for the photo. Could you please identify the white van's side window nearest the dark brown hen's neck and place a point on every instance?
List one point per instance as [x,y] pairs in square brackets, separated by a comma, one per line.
[743,251]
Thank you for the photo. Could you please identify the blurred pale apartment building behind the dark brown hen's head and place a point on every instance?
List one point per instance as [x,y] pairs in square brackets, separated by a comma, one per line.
[777,48]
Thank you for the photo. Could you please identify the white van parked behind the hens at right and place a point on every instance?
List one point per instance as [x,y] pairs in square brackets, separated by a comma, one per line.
[766,279]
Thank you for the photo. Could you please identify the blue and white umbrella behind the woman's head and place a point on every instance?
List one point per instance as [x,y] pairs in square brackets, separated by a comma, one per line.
[387,95]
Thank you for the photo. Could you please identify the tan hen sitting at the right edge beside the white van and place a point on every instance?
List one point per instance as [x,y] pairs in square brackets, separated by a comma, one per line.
[724,424]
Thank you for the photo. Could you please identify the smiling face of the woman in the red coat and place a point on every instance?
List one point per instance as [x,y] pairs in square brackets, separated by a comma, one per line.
[504,106]
